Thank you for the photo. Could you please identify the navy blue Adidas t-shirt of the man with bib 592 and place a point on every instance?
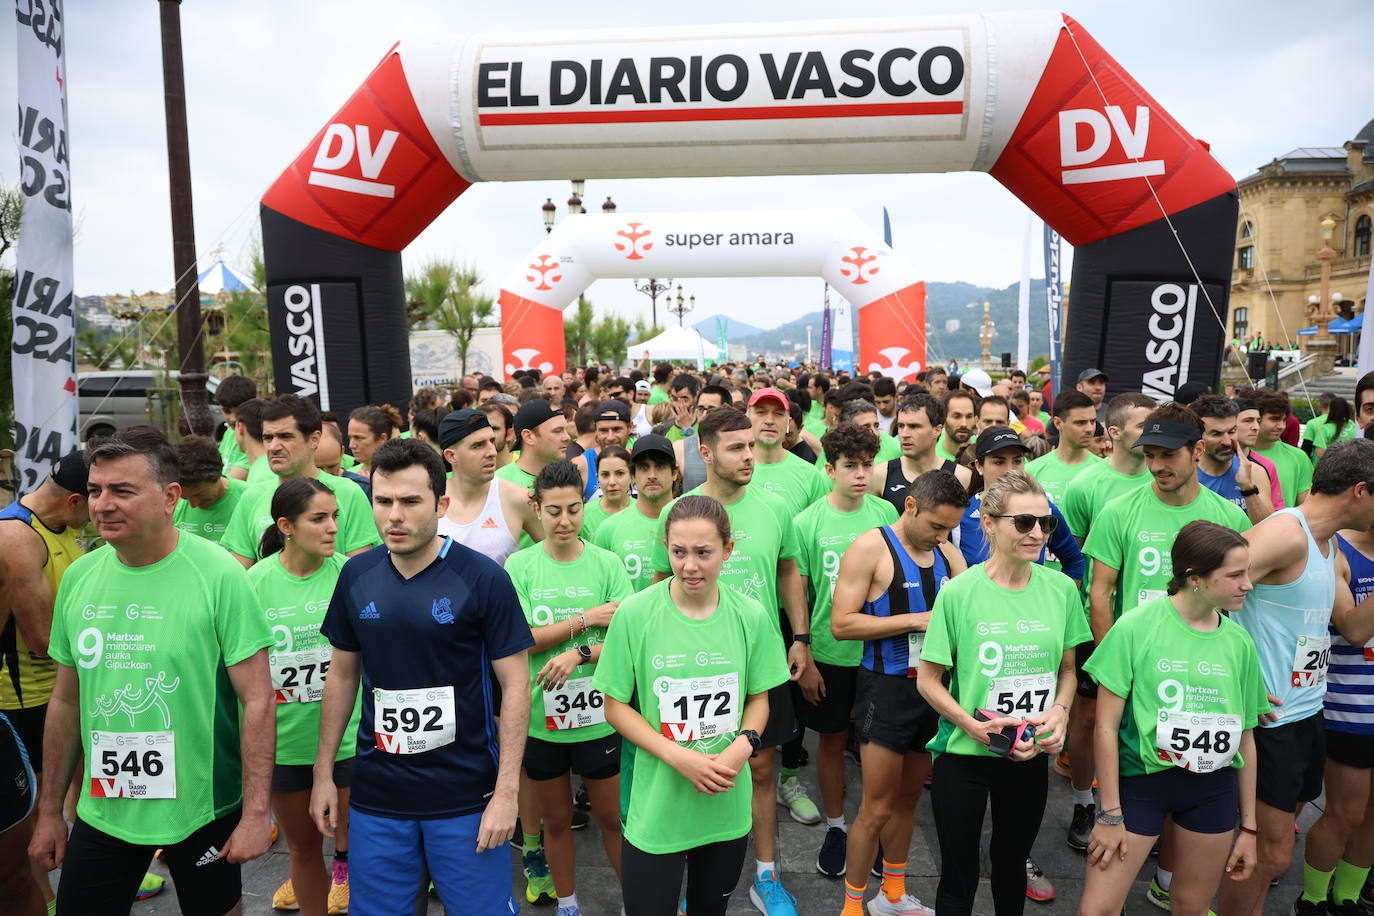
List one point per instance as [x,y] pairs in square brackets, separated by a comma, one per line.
[440,628]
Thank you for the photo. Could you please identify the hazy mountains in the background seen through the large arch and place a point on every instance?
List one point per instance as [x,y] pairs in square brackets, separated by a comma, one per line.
[951,325]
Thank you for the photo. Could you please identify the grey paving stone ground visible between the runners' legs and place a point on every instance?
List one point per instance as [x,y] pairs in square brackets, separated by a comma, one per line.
[598,891]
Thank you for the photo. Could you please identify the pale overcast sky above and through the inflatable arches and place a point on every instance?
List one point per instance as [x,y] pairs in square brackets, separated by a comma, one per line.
[1252,79]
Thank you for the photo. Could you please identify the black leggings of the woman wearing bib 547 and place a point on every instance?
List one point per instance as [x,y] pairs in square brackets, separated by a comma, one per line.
[961,788]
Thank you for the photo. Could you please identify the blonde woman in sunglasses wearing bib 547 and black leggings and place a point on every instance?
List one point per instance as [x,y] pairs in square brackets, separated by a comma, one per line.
[1005,631]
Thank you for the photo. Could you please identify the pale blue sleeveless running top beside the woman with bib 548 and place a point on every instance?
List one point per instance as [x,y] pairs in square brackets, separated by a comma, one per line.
[1289,627]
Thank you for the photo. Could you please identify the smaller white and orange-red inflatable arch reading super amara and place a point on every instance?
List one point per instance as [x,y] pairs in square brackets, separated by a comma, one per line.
[828,244]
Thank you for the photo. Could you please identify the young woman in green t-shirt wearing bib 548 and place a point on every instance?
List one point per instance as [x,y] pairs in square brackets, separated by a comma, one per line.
[1180,696]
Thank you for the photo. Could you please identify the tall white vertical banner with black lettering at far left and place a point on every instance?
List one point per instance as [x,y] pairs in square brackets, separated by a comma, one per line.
[45,328]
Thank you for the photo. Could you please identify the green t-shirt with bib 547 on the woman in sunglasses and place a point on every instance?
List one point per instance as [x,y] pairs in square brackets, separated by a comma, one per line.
[1002,648]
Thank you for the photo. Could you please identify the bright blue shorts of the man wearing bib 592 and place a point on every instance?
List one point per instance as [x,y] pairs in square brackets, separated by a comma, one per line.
[387,858]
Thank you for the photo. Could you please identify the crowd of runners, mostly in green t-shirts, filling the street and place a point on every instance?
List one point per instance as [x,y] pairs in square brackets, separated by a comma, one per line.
[624,599]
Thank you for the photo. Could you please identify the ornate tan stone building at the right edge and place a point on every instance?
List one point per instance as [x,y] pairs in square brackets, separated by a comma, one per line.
[1285,208]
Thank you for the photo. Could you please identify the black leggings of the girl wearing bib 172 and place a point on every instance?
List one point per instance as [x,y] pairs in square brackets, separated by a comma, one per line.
[651,882]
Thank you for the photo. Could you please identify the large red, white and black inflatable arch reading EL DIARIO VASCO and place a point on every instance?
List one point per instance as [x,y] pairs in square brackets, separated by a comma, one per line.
[1027,97]
